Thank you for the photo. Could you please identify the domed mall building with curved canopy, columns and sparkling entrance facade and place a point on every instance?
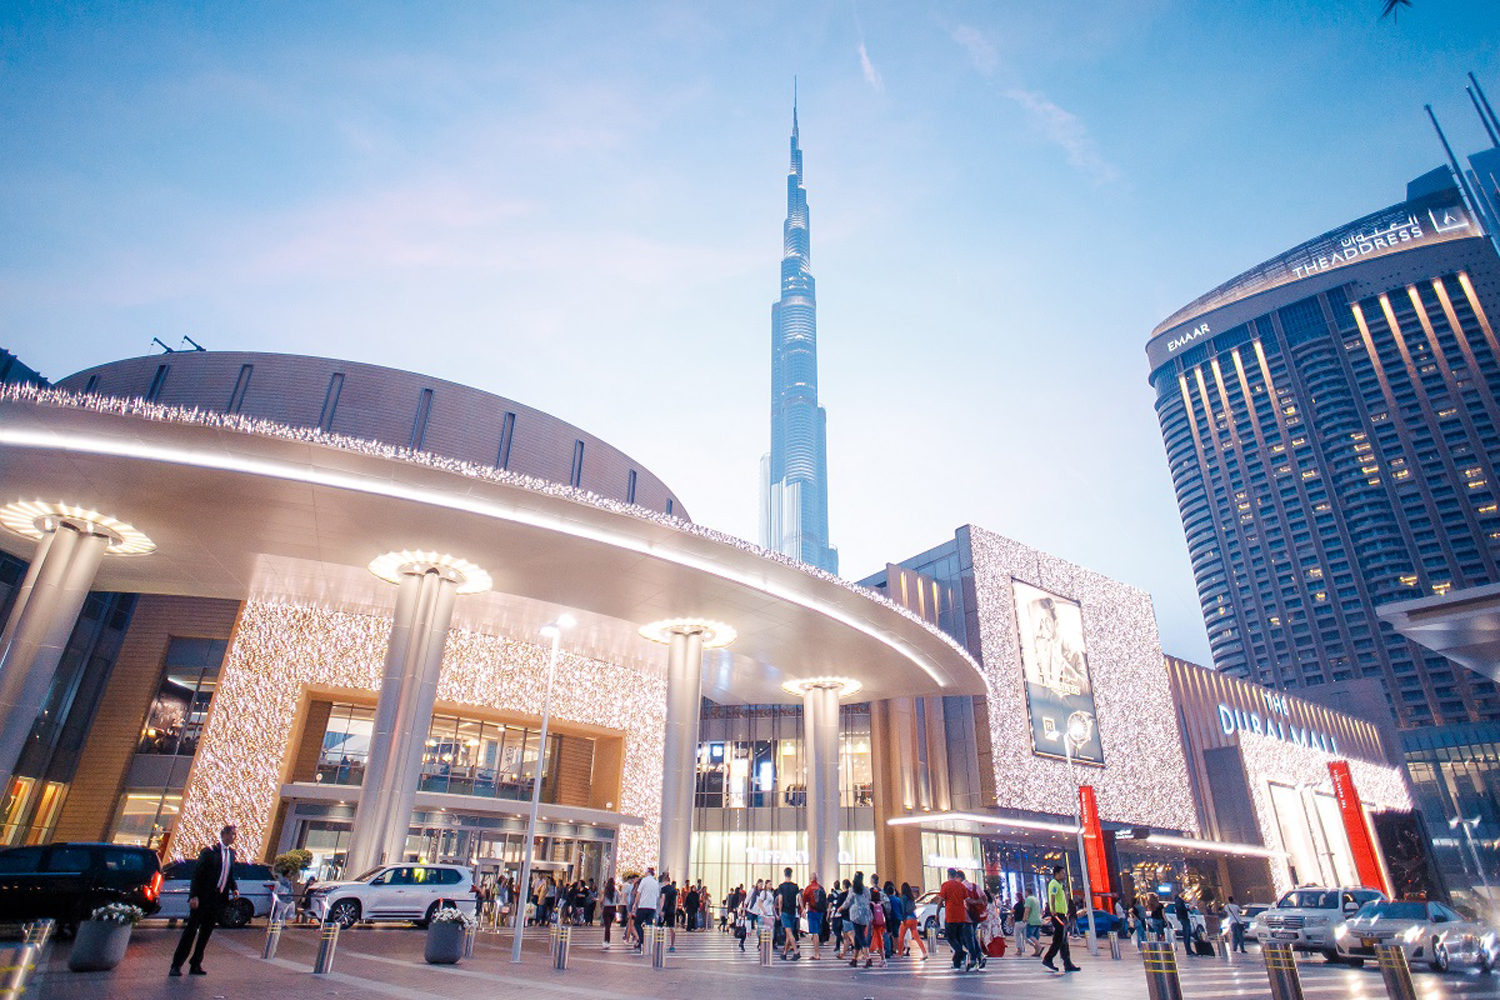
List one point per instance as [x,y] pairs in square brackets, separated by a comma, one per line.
[320,594]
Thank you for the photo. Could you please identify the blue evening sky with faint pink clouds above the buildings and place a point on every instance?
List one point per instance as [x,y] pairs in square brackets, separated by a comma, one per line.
[580,206]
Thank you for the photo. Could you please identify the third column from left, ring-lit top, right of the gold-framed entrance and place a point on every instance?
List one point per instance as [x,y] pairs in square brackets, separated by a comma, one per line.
[686,641]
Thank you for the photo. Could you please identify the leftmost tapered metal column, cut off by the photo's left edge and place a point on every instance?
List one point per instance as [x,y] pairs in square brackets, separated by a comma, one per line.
[43,620]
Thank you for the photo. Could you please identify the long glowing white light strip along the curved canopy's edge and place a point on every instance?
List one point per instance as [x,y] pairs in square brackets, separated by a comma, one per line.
[271,469]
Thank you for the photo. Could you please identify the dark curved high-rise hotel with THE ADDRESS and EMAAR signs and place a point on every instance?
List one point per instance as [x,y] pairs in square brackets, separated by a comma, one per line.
[1333,425]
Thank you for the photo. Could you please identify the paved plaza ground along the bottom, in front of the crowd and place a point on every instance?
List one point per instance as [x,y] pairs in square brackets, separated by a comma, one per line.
[388,963]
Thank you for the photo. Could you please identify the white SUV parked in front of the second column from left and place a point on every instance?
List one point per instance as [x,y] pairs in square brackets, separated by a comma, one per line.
[395,893]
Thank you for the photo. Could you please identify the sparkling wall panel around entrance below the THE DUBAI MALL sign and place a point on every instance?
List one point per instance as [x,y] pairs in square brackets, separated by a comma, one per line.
[1270,761]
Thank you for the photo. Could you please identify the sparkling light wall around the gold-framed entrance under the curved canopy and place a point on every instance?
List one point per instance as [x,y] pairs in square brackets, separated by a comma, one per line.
[280,650]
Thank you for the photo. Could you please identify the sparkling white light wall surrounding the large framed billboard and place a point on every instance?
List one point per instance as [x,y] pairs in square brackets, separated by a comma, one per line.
[1145,779]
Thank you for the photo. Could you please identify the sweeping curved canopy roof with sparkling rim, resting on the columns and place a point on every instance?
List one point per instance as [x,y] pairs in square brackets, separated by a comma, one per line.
[244,509]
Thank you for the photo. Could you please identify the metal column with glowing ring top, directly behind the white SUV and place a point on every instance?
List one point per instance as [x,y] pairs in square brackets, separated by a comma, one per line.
[419,633]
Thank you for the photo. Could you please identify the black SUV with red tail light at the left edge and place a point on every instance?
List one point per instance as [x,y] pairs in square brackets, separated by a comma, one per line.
[67,882]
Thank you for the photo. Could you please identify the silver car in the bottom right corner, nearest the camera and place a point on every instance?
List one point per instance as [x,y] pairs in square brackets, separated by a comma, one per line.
[1427,932]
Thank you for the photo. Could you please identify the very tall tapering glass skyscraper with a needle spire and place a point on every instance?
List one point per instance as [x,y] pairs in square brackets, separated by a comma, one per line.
[794,475]
